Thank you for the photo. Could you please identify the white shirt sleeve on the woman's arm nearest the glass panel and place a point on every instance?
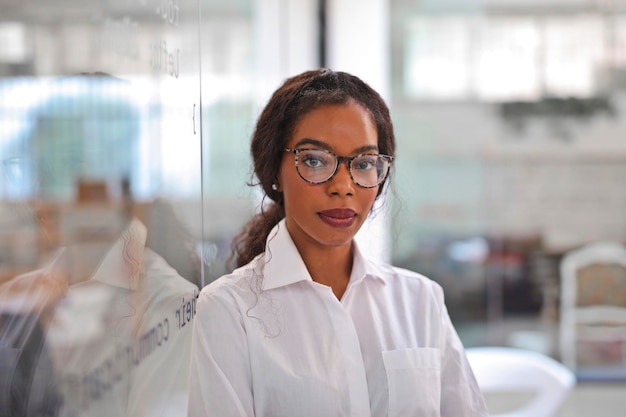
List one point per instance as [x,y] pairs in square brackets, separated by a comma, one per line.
[220,377]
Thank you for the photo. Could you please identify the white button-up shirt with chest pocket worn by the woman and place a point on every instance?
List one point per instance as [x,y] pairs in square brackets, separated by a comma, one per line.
[269,341]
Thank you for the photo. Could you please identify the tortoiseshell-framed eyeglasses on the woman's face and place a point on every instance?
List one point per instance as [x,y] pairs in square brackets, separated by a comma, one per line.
[316,166]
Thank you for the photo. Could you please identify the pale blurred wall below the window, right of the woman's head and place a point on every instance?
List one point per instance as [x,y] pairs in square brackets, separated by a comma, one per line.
[462,170]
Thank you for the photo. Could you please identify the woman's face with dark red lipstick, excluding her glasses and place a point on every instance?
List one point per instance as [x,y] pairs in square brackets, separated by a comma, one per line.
[328,214]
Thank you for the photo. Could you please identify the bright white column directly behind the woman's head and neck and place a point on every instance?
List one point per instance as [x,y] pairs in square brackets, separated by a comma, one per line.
[358,43]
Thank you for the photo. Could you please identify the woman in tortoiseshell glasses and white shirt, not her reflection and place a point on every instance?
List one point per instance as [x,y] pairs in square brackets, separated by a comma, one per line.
[308,326]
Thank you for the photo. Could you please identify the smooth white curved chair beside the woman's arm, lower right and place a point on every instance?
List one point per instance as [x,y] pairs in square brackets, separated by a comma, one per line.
[507,370]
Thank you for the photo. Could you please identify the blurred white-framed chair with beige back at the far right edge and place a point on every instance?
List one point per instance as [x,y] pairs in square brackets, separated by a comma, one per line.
[593,307]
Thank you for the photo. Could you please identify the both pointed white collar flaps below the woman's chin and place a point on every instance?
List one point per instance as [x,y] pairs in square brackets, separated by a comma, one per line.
[284,265]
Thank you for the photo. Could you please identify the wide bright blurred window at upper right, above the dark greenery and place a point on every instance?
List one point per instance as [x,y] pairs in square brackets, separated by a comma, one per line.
[516,57]
